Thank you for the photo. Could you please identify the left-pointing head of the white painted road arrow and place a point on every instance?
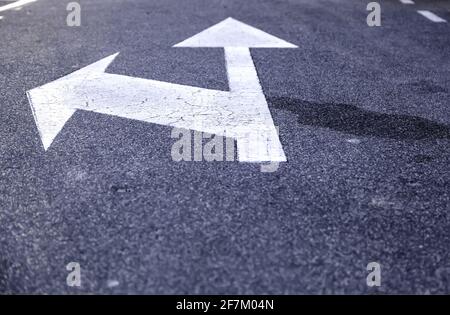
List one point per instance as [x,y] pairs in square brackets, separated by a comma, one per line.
[54,103]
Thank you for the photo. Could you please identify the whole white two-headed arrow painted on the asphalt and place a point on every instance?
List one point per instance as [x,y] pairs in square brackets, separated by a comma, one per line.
[241,113]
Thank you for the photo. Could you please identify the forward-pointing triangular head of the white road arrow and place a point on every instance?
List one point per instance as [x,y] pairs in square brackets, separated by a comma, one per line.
[232,33]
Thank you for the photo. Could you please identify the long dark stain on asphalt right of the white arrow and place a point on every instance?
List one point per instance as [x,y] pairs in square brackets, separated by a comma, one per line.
[354,120]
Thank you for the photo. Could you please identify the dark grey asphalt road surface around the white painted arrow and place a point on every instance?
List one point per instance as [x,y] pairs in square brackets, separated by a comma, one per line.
[364,120]
